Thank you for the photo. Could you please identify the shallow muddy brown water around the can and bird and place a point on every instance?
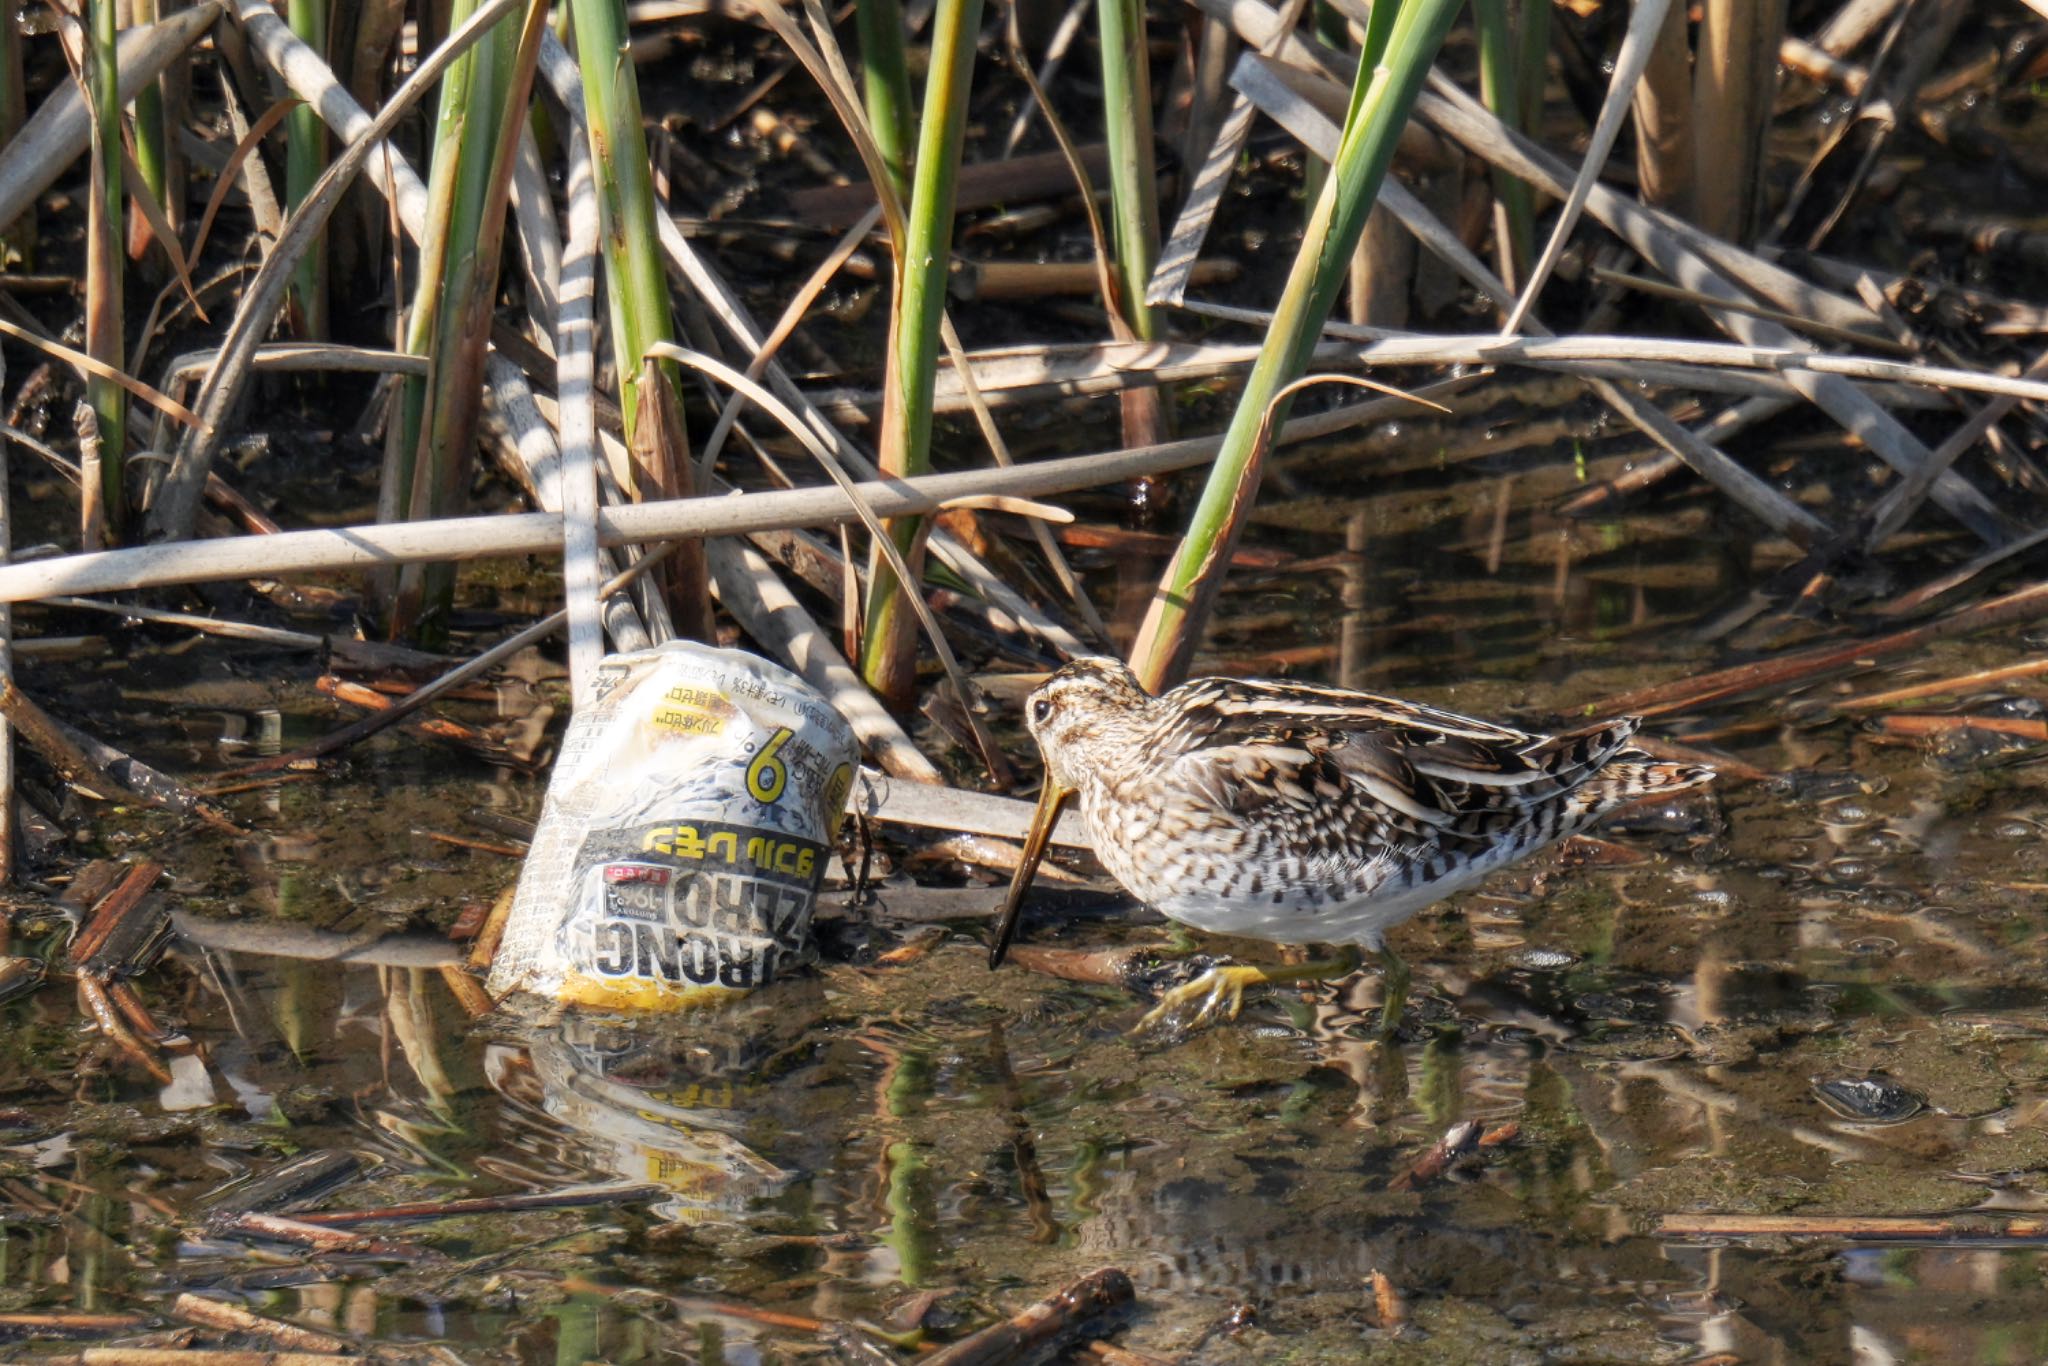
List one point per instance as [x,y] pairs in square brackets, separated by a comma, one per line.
[1811,994]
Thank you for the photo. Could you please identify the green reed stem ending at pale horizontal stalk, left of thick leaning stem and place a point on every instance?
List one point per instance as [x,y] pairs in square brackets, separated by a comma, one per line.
[1134,171]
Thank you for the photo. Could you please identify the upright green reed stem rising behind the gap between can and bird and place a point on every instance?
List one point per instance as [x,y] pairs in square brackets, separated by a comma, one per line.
[888,652]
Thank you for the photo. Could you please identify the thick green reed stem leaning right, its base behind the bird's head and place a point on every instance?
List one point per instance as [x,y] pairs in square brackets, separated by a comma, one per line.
[1400,46]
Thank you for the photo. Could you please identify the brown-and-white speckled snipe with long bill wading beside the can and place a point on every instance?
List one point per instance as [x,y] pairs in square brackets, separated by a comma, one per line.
[1306,814]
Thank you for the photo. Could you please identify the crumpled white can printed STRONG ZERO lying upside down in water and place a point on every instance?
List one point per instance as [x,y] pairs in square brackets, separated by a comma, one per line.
[685,835]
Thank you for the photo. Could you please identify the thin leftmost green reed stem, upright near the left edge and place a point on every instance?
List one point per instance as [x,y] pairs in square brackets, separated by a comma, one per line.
[103,501]
